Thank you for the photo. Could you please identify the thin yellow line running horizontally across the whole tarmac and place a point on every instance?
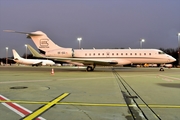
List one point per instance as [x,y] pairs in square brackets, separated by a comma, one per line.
[93,104]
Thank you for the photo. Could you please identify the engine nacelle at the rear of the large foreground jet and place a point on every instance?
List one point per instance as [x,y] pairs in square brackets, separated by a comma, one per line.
[62,52]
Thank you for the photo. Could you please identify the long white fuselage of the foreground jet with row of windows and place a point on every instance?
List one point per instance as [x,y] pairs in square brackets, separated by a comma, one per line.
[130,56]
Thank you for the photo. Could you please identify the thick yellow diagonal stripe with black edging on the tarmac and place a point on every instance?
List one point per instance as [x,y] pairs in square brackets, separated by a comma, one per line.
[45,107]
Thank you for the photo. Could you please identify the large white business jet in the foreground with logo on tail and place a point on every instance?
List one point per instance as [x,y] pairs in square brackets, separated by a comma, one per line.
[93,57]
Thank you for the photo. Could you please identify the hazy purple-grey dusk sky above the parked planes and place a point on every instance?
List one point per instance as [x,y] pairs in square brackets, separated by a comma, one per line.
[100,23]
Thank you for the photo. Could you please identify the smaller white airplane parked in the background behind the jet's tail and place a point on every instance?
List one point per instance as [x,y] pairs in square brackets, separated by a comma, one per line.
[33,62]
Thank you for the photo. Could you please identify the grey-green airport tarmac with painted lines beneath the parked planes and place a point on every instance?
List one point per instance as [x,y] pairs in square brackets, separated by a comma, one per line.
[72,93]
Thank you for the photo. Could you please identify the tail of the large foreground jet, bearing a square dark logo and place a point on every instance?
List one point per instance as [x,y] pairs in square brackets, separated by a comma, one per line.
[40,39]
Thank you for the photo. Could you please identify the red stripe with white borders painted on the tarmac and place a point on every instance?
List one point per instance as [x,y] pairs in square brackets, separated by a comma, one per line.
[17,108]
